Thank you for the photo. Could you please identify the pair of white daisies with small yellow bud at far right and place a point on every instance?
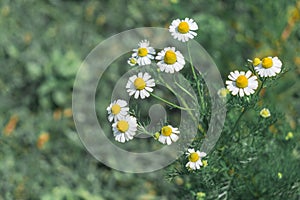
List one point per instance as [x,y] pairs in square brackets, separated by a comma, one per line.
[245,83]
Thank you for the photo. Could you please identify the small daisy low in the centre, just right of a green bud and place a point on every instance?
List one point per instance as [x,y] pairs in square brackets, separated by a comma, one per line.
[168,135]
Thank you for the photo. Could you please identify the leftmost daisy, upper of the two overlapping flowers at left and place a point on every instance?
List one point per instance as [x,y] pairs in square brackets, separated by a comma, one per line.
[117,109]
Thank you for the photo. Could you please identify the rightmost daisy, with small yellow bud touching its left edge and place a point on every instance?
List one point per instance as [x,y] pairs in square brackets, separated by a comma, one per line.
[267,67]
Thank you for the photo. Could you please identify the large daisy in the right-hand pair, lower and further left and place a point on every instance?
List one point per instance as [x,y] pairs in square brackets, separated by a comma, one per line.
[241,83]
